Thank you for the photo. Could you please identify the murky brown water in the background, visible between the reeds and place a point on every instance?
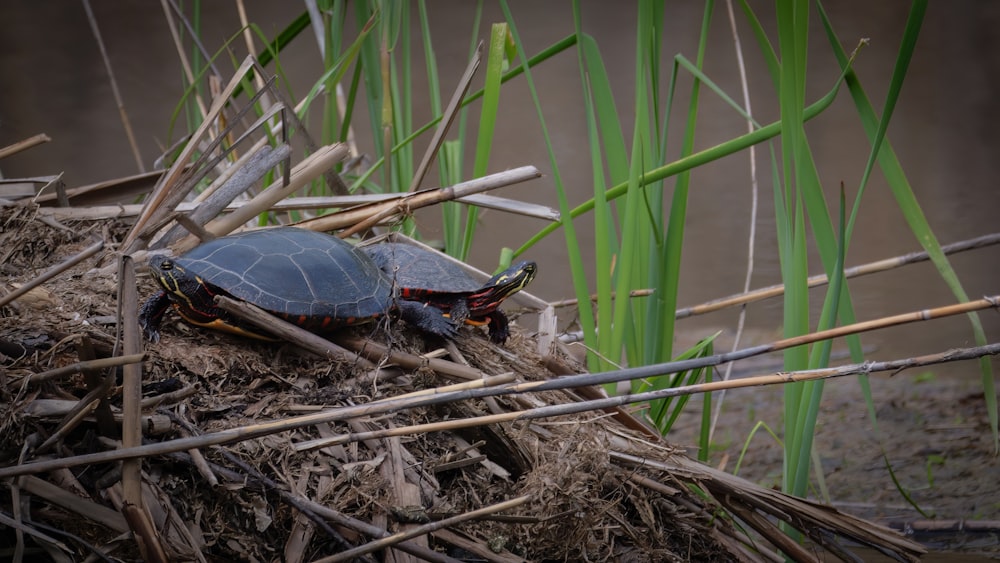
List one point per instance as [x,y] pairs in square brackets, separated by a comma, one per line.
[942,130]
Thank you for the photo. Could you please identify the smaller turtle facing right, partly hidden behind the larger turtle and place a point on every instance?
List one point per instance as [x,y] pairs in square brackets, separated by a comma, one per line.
[431,278]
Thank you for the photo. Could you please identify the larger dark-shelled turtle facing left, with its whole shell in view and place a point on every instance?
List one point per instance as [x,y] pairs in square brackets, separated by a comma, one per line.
[314,280]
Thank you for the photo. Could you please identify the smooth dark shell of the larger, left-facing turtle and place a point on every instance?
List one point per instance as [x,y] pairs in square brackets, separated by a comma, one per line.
[311,278]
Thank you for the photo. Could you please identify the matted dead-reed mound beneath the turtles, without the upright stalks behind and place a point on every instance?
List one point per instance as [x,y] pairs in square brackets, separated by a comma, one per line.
[576,487]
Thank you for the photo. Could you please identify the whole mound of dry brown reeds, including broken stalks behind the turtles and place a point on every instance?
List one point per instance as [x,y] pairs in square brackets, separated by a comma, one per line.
[210,447]
